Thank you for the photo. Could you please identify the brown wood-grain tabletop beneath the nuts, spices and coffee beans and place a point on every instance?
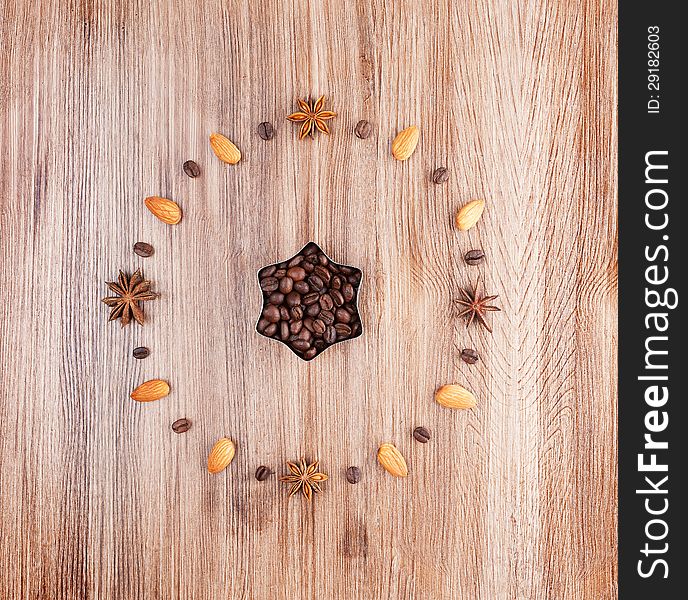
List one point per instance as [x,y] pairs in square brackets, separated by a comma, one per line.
[100,106]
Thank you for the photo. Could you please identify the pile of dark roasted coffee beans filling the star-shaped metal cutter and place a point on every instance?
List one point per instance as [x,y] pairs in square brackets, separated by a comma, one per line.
[309,302]
